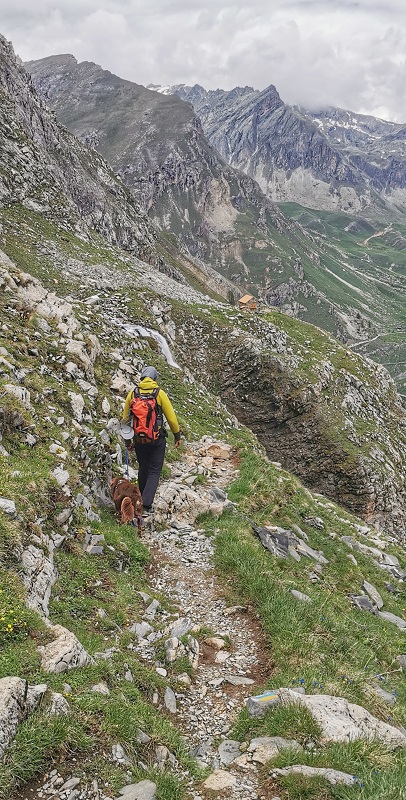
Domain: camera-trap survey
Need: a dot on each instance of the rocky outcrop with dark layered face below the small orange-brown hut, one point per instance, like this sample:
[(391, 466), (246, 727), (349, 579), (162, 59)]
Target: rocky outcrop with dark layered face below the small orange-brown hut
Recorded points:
[(332, 418)]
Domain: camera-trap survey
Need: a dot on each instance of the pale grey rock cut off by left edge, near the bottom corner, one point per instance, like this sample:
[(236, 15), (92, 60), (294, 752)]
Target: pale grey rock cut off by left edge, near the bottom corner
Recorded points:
[(17, 701)]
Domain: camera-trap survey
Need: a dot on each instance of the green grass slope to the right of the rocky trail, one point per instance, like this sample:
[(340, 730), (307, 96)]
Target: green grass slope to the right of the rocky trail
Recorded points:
[(328, 647)]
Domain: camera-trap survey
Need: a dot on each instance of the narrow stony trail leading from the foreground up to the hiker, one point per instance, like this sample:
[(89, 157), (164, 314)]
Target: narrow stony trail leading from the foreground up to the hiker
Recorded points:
[(222, 643)]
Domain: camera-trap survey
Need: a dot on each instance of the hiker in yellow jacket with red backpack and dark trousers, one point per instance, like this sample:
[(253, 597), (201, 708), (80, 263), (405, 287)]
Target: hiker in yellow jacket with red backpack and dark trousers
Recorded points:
[(144, 409)]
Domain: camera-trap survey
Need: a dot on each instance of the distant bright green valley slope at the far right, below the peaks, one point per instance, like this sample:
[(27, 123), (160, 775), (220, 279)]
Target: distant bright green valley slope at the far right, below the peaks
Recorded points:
[(367, 272)]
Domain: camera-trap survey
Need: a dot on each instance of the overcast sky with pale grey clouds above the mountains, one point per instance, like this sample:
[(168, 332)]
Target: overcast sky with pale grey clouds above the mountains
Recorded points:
[(348, 53)]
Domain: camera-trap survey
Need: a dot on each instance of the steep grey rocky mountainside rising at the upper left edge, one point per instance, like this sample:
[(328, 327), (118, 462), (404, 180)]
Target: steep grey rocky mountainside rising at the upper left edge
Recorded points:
[(47, 169)]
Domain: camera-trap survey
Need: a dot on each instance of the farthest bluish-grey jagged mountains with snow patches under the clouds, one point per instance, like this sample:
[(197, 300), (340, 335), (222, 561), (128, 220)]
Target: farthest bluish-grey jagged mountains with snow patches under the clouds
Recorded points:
[(330, 158)]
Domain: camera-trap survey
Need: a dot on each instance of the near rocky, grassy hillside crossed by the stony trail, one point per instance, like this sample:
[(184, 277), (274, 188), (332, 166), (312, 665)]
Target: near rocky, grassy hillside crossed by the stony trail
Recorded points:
[(139, 667)]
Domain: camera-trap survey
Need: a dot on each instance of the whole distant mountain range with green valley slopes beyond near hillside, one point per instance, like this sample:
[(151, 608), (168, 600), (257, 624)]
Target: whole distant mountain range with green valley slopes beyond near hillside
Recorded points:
[(344, 273)]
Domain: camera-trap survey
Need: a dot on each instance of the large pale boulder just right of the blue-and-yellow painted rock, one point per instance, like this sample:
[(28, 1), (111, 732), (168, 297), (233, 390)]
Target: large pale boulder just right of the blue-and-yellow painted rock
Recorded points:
[(341, 721)]
